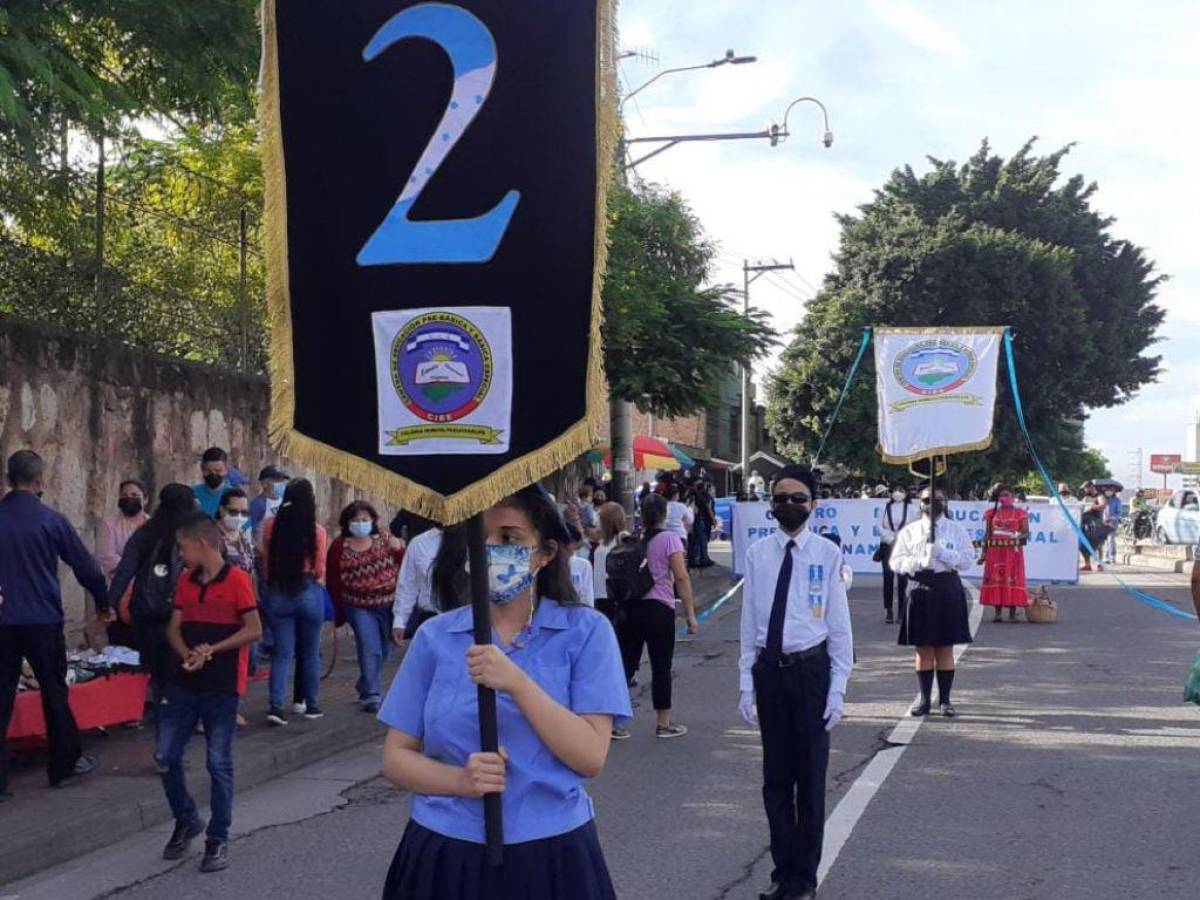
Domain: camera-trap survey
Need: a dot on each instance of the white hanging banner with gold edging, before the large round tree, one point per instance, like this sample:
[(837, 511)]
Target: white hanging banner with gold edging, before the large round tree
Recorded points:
[(937, 391)]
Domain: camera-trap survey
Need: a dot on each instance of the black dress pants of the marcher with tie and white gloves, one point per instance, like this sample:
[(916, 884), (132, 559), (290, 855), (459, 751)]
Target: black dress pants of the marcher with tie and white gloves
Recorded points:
[(795, 758)]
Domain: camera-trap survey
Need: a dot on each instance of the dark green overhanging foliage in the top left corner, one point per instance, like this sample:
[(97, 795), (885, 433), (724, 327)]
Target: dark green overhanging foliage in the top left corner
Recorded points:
[(98, 63)]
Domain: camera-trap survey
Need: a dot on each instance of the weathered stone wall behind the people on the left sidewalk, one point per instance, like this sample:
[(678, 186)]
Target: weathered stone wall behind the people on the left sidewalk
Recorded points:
[(100, 413)]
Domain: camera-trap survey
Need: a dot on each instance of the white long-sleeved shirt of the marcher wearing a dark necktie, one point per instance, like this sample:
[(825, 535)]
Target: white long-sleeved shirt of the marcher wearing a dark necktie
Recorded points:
[(802, 629)]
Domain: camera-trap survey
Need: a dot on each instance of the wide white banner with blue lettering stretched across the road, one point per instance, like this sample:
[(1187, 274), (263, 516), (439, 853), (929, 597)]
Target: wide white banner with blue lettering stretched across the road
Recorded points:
[(1053, 553)]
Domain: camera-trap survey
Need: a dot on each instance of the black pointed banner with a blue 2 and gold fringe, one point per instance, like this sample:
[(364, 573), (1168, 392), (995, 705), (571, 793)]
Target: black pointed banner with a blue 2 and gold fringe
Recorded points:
[(435, 219)]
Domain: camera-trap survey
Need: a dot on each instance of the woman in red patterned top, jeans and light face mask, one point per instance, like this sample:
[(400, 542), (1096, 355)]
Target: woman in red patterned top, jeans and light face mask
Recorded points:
[(362, 572)]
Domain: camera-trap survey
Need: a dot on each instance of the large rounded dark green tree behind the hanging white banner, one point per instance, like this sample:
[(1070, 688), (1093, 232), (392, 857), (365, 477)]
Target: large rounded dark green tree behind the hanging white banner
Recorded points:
[(991, 243)]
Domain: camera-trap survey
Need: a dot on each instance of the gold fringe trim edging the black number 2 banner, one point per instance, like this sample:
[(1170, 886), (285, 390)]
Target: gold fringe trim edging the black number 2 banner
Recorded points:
[(362, 473)]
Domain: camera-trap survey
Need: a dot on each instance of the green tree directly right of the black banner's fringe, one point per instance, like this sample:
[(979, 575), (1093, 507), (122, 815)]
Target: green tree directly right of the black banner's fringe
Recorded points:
[(669, 338)]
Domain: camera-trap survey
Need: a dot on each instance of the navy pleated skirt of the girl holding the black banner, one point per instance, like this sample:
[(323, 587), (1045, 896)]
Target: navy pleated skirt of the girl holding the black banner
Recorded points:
[(431, 867)]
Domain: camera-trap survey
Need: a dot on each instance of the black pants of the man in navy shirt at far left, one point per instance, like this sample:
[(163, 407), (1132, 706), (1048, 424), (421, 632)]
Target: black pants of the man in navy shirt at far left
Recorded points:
[(46, 650)]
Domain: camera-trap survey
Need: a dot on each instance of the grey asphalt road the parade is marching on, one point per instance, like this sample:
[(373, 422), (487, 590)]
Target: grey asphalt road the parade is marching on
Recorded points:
[(1072, 772)]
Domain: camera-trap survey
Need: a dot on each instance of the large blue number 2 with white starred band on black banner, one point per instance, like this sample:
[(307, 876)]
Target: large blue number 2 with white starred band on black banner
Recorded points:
[(472, 51)]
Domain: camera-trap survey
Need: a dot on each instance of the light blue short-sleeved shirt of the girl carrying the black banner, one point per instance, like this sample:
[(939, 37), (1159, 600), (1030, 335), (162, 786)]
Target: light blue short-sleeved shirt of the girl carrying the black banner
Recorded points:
[(572, 653)]
